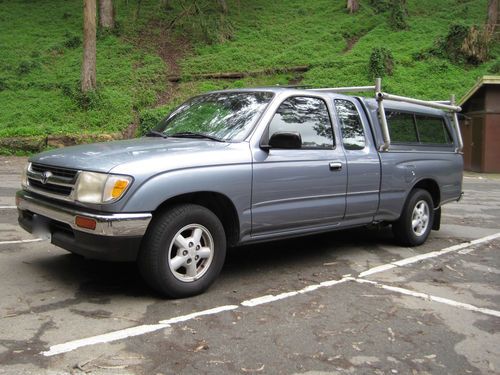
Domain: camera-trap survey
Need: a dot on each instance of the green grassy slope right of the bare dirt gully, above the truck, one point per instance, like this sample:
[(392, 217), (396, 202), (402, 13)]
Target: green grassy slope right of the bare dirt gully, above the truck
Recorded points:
[(270, 34)]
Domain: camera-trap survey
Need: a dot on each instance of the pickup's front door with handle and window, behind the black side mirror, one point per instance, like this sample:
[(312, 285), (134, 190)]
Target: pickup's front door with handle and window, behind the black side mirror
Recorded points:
[(303, 187)]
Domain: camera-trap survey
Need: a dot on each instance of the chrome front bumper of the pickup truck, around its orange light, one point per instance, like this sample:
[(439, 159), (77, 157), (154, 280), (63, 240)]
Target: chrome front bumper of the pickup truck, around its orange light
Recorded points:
[(130, 224)]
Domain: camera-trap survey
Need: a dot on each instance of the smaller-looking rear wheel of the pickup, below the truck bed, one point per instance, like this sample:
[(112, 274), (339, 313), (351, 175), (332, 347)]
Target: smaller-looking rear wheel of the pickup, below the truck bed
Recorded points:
[(415, 223)]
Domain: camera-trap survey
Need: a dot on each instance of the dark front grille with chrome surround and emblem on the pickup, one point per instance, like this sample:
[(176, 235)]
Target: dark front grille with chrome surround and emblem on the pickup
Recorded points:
[(52, 181)]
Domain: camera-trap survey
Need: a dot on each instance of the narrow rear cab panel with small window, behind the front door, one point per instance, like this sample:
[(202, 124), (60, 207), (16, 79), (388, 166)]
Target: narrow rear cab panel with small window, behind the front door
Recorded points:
[(363, 163)]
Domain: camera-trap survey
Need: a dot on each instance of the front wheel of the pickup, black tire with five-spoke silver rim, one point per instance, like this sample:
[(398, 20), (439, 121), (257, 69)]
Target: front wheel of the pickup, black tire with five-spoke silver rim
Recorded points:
[(183, 251)]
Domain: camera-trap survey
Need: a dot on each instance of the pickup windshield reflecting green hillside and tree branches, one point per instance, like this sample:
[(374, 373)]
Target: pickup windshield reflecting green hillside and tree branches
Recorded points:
[(226, 116)]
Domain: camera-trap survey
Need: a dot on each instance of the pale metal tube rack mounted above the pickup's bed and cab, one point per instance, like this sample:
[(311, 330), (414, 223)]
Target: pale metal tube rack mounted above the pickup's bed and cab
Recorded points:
[(380, 96)]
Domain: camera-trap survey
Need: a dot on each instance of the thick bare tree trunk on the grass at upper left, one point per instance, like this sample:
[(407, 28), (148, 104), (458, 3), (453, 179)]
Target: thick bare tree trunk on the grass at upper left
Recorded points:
[(89, 46)]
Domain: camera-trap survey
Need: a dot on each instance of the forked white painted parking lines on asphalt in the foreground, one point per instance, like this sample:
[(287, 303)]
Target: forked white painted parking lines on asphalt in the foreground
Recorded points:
[(143, 329)]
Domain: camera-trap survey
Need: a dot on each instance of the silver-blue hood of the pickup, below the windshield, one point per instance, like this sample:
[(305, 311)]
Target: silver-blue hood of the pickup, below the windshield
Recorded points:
[(102, 157)]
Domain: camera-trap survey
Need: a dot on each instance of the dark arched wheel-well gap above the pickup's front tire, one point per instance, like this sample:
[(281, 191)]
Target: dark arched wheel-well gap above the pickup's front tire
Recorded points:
[(218, 203)]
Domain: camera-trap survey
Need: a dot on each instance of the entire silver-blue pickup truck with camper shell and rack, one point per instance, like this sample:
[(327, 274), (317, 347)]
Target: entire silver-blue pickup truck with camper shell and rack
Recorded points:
[(241, 166)]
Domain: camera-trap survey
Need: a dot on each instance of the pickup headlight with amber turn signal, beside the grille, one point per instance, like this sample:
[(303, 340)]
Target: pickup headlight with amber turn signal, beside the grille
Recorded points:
[(93, 187)]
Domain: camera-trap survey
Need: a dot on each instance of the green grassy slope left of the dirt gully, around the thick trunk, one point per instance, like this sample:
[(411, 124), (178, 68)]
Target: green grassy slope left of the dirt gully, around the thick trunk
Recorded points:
[(40, 72)]
